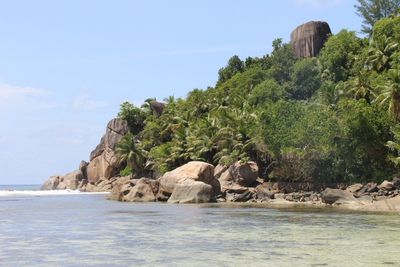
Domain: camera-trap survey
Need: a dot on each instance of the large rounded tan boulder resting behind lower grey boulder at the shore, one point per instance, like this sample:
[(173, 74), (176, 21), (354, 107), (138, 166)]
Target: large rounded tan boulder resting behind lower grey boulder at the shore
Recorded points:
[(194, 170)]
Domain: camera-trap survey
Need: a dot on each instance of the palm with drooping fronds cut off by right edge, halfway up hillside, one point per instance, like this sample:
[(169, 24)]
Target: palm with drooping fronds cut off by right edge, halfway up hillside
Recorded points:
[(391, 93)]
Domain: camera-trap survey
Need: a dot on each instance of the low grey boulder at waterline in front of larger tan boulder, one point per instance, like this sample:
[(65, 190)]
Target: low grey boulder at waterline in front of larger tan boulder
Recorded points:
[(192, 192)]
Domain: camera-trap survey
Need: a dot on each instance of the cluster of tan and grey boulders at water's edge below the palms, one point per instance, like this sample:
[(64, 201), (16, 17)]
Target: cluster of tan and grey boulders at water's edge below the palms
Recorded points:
[(194, 182)]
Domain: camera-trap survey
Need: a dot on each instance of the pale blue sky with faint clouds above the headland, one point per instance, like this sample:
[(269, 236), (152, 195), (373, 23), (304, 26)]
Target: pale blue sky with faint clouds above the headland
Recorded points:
[(65, 66)]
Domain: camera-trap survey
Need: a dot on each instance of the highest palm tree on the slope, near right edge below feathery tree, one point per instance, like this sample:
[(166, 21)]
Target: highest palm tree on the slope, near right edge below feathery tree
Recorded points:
[(379, 54)]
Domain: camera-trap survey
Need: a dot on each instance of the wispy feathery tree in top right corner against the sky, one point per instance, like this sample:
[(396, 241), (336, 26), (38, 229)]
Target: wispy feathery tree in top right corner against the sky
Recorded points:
[(373, 10)]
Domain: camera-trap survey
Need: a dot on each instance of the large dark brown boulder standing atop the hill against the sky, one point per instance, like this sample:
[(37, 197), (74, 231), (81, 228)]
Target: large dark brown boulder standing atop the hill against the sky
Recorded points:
[(308, 39)]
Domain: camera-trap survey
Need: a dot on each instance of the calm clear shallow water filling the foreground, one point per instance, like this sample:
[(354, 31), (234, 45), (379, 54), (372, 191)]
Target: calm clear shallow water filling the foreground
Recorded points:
[(87, 230)]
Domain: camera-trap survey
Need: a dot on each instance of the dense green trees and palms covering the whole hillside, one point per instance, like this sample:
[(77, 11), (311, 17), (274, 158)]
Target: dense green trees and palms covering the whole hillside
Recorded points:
[(333, 118)]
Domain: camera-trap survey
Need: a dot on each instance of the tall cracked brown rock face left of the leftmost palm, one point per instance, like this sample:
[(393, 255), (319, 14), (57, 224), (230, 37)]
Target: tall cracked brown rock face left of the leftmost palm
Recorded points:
[(103, 161)]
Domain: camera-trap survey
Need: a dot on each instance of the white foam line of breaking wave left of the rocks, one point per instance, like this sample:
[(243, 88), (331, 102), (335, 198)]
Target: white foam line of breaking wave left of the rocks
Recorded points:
[(14, 193)]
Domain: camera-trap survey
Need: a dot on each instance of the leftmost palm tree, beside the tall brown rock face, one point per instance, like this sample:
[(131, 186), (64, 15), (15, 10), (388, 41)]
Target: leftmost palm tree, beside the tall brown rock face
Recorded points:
[(128, 151)]
